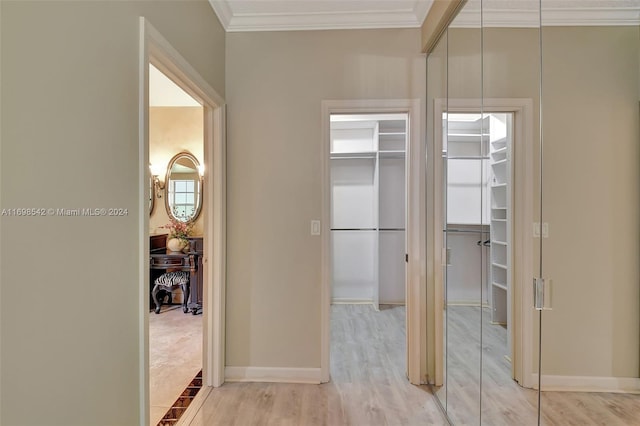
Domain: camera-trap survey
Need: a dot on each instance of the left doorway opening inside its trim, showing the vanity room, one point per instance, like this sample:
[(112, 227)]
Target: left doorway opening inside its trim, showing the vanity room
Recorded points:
[(176, 149)]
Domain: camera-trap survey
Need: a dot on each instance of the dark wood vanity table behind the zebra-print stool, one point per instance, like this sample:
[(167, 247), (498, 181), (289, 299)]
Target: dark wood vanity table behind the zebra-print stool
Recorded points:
[(161, 260)]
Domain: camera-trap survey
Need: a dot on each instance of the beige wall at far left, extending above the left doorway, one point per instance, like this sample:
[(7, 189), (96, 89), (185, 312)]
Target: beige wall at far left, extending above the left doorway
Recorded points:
[(69, 312)]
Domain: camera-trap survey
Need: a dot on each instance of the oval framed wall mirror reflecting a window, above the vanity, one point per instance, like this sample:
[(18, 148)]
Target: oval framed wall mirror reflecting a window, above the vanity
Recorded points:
[(183, 188)]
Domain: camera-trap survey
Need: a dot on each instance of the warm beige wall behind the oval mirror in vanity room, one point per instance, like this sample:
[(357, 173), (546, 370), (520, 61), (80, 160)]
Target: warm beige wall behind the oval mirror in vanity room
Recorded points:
[(173, 130)]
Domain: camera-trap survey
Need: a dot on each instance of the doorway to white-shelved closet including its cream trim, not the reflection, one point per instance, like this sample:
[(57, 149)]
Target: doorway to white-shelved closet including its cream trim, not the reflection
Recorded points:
[(372, 247)]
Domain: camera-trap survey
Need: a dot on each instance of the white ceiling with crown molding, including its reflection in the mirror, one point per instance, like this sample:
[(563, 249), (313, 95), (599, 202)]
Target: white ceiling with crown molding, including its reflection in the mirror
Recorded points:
[(281, 15)]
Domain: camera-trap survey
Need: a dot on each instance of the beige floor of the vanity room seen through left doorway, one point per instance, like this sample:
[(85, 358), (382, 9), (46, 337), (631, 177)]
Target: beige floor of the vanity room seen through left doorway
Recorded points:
[(175, 357)]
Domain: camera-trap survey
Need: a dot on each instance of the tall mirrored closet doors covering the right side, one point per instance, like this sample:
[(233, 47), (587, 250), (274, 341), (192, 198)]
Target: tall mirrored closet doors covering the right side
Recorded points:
[(535, 130)]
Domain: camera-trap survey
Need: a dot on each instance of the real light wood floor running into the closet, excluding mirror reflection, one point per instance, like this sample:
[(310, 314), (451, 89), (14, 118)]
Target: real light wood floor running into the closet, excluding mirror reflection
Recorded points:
[(368, 385)]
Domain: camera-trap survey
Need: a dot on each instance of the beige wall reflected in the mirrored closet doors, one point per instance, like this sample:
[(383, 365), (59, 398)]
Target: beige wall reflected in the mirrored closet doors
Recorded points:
[(591, 179)]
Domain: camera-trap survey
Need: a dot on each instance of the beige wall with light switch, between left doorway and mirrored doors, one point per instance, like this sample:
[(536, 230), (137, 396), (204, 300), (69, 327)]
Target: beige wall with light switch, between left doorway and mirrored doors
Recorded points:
[(275, 84)]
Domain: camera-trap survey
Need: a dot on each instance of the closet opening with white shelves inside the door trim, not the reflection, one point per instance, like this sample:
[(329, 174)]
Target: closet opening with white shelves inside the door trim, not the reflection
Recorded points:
[(368, 243)]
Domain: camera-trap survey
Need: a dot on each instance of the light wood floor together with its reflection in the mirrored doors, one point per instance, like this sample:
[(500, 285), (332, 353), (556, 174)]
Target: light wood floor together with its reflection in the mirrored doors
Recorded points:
[(369, 387)]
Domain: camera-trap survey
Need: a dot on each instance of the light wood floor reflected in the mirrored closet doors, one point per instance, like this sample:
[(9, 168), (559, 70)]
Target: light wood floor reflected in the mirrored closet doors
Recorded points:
[(503, 401)]
